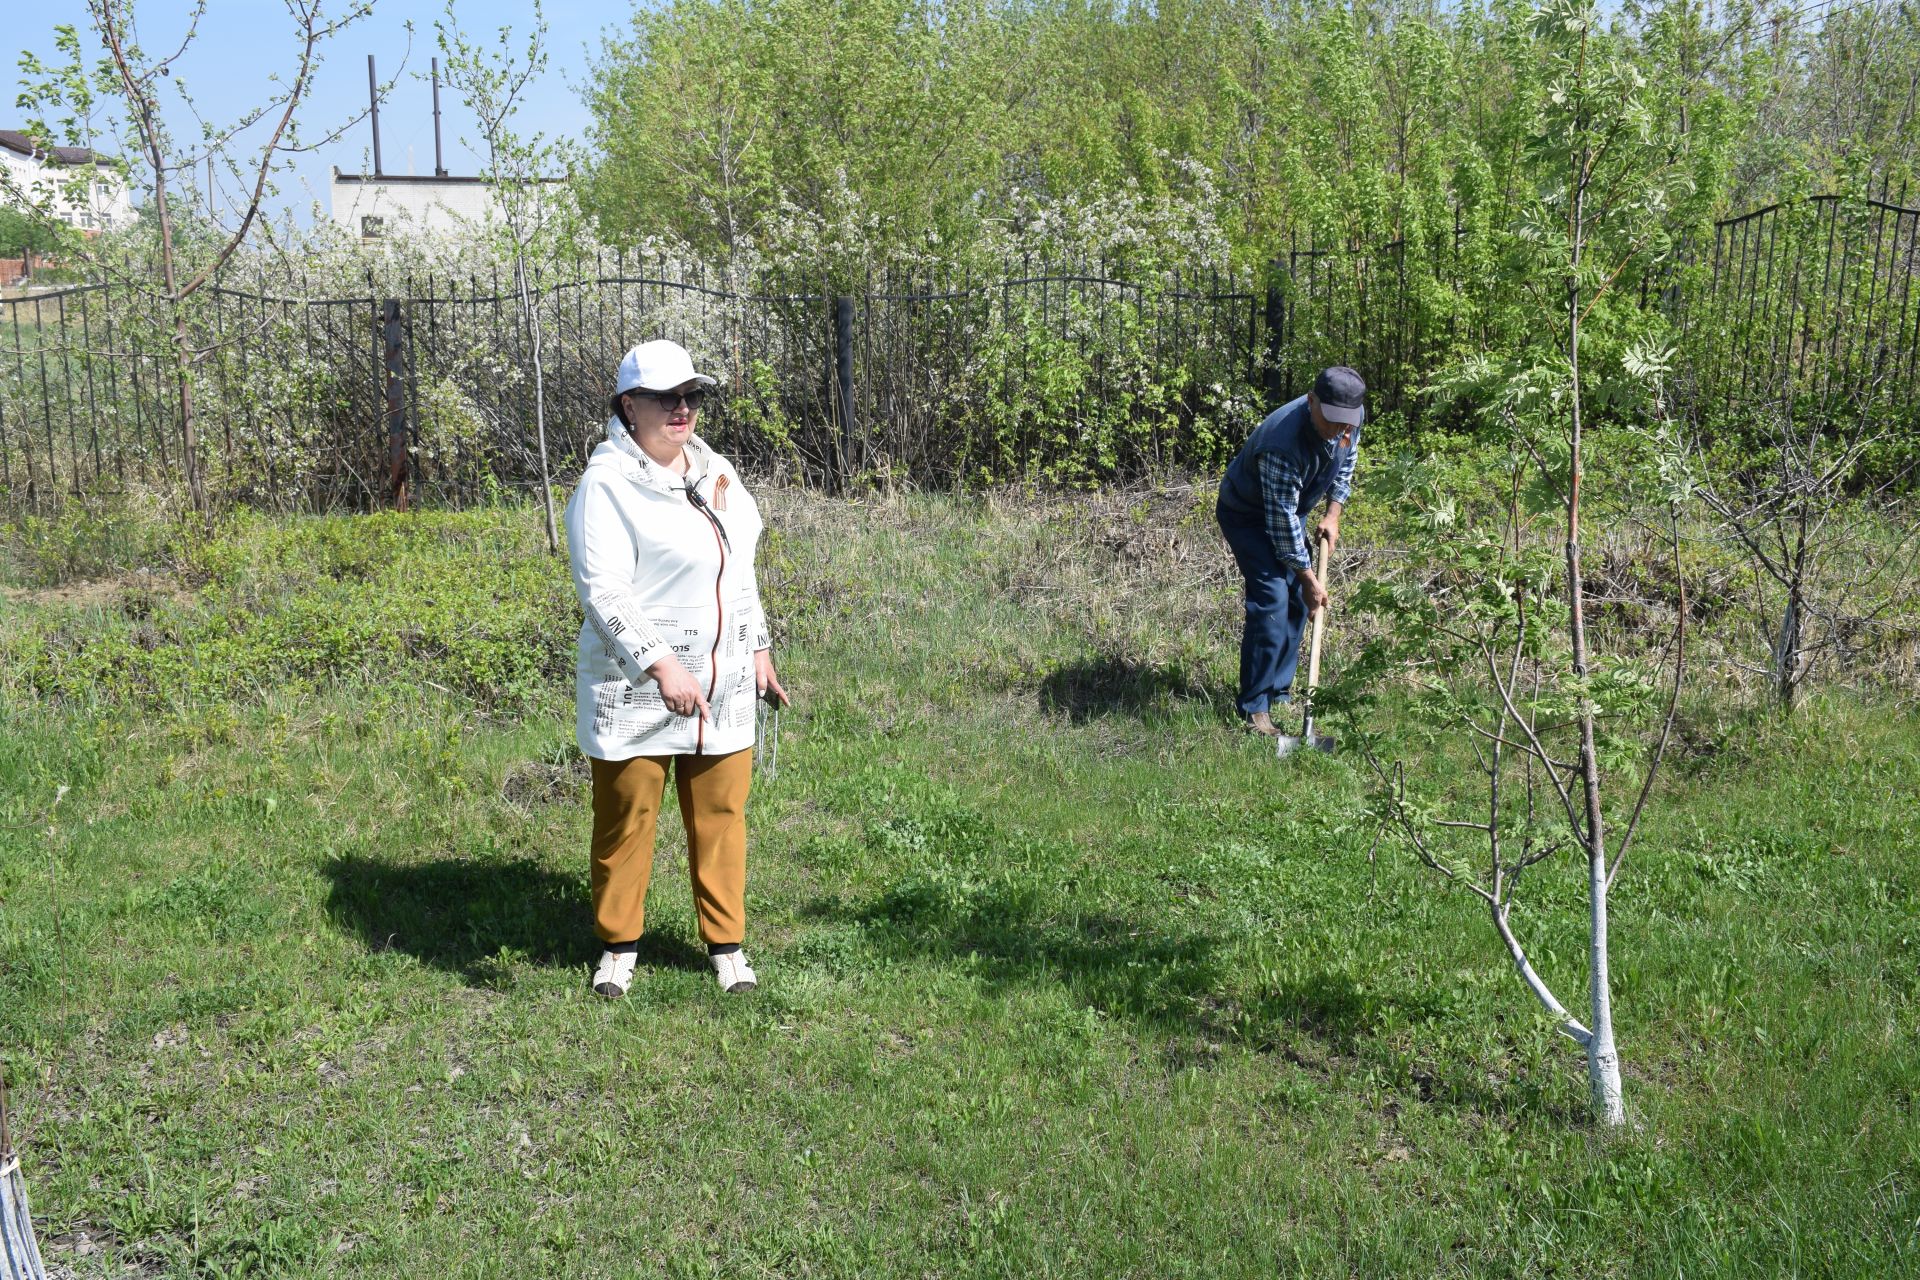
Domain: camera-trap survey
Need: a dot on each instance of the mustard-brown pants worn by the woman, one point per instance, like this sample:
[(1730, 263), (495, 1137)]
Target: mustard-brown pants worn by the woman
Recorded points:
[(713, 807)]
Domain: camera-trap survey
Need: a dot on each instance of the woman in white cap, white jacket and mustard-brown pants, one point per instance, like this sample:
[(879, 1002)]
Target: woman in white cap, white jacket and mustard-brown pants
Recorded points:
[(673, 655)]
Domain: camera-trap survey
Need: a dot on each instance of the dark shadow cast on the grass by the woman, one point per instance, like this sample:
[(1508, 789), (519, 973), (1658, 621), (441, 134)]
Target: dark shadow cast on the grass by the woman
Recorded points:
[(464, 916)]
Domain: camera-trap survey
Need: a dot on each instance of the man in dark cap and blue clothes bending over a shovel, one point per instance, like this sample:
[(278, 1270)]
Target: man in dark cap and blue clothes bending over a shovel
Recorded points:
[(1299, 456)]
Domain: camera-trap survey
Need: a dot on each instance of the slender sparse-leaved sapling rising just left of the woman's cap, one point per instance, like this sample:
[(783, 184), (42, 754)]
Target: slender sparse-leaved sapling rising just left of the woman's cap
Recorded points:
[(537, 214)]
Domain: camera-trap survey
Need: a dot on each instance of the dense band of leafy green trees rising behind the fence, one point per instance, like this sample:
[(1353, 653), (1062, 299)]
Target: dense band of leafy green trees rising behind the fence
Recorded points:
[(1332, 126)]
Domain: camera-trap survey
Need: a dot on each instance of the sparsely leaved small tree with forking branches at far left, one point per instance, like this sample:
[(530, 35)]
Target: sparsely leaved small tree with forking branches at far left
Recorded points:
[(120, 97)]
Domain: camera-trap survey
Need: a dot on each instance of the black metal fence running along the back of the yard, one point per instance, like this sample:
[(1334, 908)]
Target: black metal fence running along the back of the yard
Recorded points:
[(1063, 373)]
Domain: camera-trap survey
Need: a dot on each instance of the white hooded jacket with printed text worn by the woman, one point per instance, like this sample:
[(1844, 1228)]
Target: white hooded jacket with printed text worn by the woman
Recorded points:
[(660, 575)]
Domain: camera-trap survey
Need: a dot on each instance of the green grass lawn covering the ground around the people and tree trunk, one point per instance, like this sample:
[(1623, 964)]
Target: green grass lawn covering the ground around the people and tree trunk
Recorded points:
[(1061, 976)]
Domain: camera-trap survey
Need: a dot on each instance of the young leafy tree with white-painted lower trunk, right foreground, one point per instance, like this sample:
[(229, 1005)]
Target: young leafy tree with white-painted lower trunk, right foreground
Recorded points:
[(1533, 732)]
